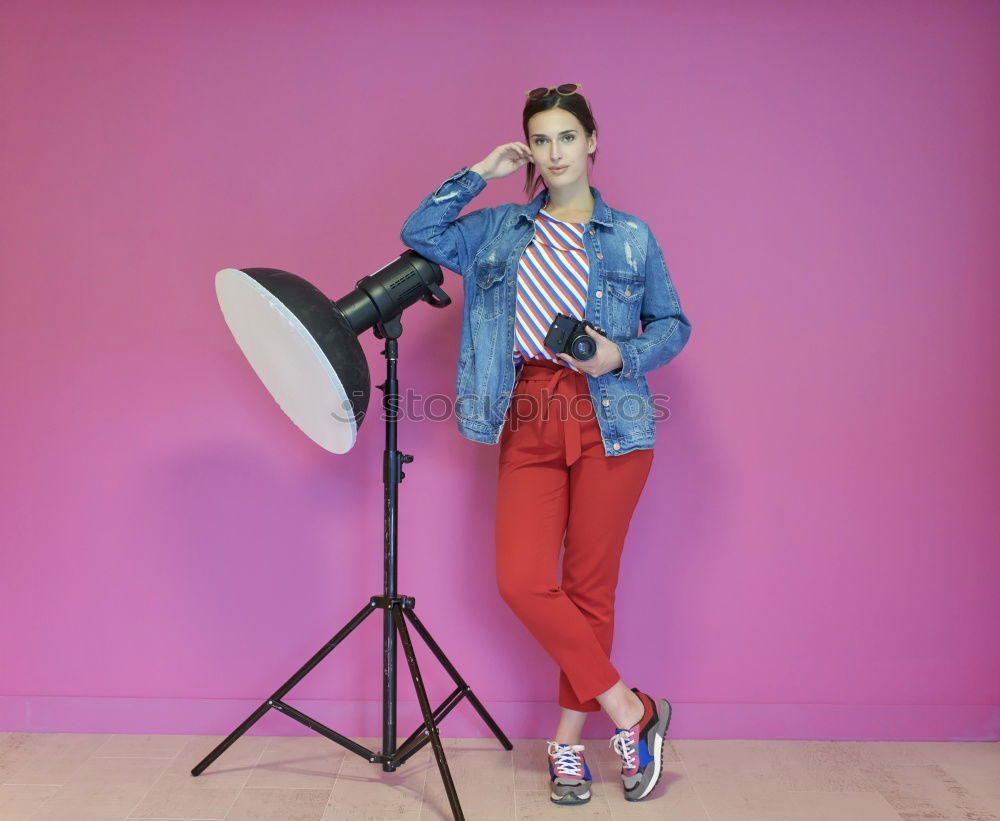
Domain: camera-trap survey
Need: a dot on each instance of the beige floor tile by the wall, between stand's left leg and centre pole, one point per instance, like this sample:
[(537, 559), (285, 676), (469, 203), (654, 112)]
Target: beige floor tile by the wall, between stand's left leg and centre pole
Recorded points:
[(299, 762)]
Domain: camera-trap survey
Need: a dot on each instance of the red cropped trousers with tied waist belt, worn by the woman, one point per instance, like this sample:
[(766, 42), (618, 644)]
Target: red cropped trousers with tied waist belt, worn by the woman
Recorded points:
[(556, 481)]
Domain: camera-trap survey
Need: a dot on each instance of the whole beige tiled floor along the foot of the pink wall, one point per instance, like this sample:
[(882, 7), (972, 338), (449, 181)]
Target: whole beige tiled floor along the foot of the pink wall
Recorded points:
[(68, 777)]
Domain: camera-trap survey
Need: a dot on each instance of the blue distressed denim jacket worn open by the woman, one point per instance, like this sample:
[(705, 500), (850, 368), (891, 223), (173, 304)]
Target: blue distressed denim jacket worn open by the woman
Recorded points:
[(629, 283)]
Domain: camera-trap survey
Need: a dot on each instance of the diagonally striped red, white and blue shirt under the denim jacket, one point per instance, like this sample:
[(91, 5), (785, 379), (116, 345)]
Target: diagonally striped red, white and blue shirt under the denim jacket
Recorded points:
[(552, 278)]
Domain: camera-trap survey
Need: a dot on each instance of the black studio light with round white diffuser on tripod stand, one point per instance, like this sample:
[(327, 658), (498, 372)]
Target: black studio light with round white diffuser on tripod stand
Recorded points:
[(305, 349)]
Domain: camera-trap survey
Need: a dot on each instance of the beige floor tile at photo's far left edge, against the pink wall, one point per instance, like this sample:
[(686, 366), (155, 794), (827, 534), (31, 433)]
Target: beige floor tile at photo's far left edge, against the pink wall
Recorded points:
[(45, 758)]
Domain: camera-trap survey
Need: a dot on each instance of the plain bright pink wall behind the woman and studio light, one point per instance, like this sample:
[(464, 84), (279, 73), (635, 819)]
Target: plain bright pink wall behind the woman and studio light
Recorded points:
[(815, 555)]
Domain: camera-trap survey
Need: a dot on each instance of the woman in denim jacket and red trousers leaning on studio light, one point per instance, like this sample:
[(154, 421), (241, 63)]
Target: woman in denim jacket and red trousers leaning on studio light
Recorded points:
[(565, 471)]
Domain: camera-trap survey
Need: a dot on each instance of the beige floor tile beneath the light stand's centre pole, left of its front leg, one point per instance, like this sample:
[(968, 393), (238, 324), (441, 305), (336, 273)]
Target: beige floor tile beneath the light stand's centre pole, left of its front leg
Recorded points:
[(364, 792)]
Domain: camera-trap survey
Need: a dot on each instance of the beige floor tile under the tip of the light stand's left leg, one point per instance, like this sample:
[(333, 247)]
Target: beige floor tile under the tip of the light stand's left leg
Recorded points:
[(178, 794)]
